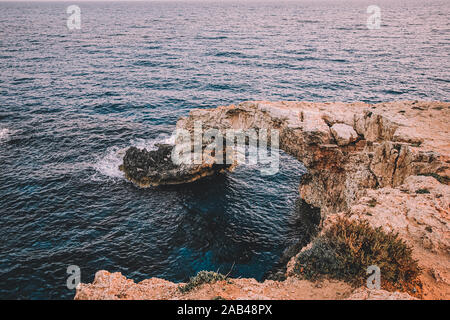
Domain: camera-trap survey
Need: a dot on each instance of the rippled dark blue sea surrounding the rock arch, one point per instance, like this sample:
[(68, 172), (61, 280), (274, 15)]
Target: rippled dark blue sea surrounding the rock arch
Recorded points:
[(72, 101)]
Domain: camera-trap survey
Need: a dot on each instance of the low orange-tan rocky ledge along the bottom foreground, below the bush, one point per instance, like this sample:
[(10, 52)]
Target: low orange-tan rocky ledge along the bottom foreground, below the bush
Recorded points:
[(114, 286)]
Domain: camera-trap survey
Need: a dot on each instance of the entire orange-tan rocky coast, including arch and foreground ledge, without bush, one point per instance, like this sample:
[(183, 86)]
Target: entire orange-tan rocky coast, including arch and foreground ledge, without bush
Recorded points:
[(386, 163)]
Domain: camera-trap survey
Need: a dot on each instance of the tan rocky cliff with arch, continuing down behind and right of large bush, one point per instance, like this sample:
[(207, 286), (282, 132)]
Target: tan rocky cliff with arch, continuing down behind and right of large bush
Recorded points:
[(387, 163)]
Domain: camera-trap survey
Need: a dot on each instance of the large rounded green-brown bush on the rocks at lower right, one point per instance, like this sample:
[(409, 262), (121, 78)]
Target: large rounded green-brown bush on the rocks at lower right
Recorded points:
[(347, 248)]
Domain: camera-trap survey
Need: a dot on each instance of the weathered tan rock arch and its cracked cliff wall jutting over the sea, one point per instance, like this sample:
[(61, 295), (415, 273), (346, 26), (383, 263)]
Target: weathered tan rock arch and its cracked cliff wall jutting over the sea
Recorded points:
[(347, 148)]
